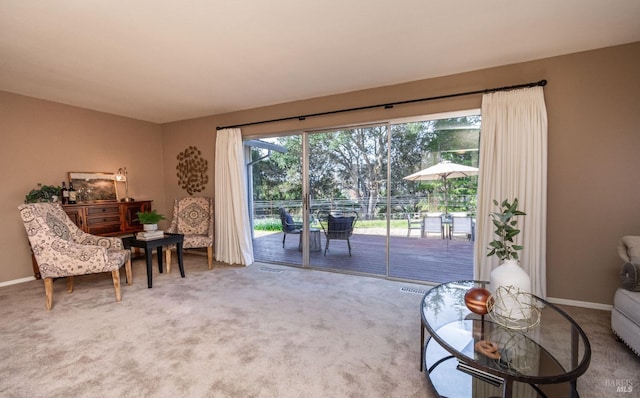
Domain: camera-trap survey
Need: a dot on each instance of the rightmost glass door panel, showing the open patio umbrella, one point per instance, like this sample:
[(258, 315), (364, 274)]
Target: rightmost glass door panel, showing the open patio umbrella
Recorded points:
[(427, 241)]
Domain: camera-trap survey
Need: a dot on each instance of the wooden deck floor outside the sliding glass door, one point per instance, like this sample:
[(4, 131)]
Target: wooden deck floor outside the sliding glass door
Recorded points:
[(420, 259)]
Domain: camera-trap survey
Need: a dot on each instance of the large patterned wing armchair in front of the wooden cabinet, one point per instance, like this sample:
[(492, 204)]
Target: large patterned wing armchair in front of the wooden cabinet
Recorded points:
[(61, 249)]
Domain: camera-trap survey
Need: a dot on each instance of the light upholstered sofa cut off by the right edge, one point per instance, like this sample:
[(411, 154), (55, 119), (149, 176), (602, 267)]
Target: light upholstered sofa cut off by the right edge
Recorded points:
[(625, 315)]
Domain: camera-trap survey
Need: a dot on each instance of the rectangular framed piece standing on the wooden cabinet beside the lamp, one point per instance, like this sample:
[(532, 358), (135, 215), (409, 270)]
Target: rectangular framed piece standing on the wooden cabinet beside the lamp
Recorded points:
[(94, 187)]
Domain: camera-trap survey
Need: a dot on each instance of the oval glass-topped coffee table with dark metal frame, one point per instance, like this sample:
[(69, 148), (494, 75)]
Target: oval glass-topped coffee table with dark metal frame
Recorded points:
[(543, 361)]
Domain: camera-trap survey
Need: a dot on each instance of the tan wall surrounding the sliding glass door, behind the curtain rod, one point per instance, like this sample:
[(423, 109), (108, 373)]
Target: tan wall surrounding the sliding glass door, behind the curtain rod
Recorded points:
[(593, 103)]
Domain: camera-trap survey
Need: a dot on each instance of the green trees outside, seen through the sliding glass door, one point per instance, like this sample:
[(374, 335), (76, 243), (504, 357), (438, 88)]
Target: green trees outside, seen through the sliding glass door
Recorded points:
[(352, 164)]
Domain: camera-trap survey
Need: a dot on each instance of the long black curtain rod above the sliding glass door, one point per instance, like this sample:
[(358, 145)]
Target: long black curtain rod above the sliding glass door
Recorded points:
[(390, 105)]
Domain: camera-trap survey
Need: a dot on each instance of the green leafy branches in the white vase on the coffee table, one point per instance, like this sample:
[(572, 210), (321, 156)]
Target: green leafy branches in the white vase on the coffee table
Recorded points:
[(506, 230)]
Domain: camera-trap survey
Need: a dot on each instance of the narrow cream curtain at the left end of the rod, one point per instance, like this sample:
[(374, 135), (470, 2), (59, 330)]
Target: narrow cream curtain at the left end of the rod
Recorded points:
[(233, 229)]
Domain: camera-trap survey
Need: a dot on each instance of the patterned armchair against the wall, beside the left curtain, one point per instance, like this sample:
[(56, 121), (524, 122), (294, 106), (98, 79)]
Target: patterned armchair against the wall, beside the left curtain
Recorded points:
[(193, 217)]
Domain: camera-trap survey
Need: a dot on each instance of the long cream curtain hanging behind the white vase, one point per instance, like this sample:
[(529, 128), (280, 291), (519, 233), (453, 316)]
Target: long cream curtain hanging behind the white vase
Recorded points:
[(513, 164)]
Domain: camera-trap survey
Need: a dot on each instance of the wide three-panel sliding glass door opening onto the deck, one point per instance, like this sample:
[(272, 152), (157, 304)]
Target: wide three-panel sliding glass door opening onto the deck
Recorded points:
[(348, 206)]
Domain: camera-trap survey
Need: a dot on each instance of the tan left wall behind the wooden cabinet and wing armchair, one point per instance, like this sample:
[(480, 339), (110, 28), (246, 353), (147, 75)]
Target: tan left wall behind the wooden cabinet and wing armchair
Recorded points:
[(42, 141)]
